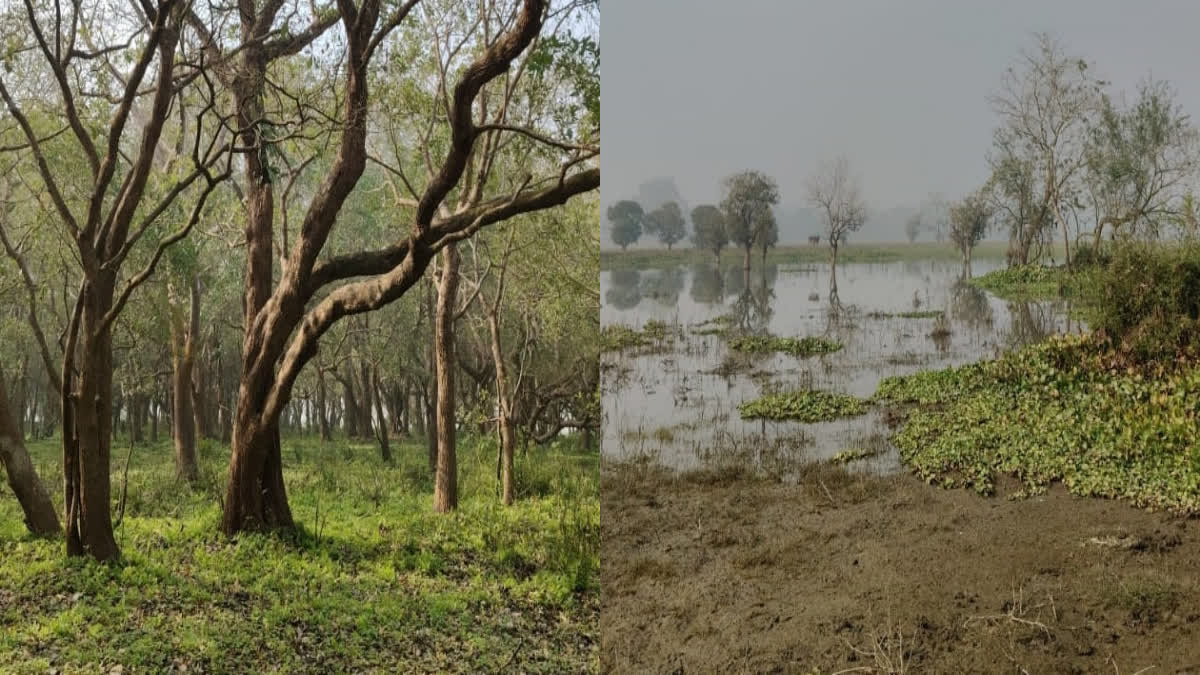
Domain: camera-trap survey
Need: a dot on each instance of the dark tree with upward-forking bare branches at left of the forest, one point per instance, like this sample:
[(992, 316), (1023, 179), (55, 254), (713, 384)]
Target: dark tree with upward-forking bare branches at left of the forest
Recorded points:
[(105, 220)]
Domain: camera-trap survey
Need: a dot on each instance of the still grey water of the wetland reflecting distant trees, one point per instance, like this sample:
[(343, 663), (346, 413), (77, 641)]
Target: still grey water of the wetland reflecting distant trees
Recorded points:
[(679, 407)]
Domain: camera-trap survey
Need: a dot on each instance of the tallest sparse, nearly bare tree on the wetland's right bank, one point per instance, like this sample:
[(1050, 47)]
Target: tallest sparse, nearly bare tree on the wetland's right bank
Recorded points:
[(1045, 106)]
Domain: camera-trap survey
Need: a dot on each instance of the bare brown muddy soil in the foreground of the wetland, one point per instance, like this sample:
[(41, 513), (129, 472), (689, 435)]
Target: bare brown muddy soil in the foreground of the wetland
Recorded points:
[(711, 574)]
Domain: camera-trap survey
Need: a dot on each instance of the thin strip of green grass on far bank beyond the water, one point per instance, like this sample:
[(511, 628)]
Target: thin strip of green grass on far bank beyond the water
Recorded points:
[(802, 254)]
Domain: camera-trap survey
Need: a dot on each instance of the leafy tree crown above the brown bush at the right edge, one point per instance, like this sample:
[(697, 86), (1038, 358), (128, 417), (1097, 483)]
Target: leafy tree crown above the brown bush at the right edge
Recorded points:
[(1137, 160)]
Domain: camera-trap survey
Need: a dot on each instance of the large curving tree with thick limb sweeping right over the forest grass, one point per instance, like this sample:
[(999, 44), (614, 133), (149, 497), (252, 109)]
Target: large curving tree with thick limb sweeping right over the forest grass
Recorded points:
[(287, 315)]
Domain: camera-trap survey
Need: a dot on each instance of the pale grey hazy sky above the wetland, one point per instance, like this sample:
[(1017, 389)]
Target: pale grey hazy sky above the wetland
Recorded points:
[(698, 89)]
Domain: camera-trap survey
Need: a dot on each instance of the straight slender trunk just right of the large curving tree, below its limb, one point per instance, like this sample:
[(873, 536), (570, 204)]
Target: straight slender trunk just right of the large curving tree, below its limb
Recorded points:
[(446, 488)]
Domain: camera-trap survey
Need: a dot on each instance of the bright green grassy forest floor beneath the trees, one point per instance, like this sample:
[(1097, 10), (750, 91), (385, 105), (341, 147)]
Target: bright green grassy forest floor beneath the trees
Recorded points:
[(374, 583)]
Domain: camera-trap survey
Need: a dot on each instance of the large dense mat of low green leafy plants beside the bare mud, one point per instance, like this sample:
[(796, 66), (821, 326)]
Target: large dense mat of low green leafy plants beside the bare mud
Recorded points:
[(1059, 411)]
